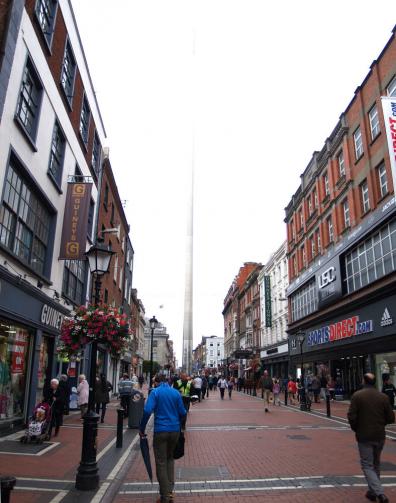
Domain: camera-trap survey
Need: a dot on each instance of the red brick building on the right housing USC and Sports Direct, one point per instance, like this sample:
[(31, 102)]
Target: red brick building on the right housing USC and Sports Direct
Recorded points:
[(341, 242)]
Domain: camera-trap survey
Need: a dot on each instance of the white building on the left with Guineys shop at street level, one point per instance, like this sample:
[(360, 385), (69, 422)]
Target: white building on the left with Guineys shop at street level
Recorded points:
[(51, 132)]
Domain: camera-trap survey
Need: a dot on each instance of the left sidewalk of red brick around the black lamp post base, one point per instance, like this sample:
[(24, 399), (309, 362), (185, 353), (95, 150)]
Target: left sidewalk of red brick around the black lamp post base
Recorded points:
[(46, 473)]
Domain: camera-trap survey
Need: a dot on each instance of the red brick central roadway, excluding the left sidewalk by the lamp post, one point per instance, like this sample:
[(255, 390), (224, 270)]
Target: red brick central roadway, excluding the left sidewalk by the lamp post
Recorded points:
[(235, 452)]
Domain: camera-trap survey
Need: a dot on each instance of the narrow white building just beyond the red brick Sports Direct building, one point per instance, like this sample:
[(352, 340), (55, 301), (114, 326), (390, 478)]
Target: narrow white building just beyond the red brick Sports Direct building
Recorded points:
[(273, 281)]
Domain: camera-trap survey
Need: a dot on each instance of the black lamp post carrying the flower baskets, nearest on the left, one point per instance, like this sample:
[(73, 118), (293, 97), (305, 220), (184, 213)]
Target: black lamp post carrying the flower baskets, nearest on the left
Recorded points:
[(87, 479)]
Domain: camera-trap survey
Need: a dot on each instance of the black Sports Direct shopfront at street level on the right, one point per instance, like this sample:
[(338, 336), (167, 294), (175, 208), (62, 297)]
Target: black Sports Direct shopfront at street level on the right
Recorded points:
[(351, 343)]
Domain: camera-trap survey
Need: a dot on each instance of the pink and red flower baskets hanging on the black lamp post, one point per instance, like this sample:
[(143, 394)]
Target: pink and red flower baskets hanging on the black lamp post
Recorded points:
[(103, 324)]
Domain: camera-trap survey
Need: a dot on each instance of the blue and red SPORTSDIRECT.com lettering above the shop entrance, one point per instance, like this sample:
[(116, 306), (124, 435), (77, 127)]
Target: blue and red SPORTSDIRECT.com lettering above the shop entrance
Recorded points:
[(340, 330)]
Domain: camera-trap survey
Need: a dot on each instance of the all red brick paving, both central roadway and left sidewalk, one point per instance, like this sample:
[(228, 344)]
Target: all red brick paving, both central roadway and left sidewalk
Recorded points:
[(234, 452)]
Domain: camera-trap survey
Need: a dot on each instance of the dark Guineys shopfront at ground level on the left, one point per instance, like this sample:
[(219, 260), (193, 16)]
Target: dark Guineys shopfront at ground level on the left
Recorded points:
[(30, 323)]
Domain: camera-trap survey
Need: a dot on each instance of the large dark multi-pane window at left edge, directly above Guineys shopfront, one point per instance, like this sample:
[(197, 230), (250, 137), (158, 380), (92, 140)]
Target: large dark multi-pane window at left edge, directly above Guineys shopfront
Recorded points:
[(25, 222)]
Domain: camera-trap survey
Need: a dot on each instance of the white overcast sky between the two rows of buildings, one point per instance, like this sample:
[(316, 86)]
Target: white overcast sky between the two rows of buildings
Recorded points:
[(262, 90)]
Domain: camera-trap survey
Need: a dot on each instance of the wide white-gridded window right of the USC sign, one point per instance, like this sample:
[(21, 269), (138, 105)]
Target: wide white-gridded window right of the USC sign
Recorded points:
[(372, 259)]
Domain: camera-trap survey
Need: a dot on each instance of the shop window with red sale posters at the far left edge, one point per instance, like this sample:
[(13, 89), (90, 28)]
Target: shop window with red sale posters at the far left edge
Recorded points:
[(14, 348)]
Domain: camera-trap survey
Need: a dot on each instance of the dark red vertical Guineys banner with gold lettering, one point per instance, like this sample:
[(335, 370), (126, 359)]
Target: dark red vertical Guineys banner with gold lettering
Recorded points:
[(75, 221)]
